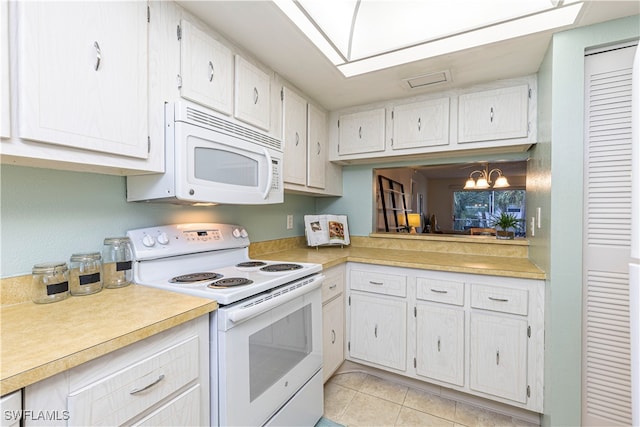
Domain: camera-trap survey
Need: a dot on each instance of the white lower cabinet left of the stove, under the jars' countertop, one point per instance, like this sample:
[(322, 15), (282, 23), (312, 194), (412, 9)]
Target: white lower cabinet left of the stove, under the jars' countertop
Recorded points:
[(162, 380)]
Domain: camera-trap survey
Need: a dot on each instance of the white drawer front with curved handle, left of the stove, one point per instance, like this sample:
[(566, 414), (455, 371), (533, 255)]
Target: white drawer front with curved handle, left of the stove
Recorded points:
[(116, 398)]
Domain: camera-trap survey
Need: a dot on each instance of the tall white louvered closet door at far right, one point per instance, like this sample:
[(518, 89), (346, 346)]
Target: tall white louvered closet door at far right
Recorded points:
[(606, 375)]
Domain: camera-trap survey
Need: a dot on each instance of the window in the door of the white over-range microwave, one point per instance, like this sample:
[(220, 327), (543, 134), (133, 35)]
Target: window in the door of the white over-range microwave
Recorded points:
[(225, 167)]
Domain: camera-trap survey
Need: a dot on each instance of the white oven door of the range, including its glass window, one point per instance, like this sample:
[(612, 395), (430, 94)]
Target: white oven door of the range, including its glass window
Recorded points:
[(266, 358)]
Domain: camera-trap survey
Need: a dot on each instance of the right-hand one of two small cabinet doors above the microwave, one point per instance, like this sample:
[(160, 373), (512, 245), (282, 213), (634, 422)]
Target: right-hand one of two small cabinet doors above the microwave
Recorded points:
[(253, 94)]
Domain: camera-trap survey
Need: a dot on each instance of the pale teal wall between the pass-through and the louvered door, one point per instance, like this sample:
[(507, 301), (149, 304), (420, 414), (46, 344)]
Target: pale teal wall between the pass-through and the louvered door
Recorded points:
[(557, 187)]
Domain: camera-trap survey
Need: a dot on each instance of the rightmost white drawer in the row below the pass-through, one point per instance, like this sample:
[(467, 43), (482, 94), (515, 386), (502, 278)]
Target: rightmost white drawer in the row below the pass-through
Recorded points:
[(505, 300)]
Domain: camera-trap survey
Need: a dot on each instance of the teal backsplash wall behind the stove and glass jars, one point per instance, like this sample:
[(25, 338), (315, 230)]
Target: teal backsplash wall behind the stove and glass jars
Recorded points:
[(46, 215)]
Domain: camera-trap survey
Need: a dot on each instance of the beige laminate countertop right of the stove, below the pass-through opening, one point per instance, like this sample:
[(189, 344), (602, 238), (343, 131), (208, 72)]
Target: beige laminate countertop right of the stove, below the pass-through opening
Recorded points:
[(461, 263)]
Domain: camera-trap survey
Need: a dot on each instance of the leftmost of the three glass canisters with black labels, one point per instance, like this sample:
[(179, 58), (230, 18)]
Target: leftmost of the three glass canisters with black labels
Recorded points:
[(50, 282)]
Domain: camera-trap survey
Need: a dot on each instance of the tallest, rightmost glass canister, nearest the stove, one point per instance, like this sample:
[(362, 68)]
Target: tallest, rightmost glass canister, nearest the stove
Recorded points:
[(116, 262)]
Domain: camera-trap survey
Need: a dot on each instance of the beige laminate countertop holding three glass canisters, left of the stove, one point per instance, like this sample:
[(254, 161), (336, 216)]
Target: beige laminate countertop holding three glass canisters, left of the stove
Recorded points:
[(41, 340)]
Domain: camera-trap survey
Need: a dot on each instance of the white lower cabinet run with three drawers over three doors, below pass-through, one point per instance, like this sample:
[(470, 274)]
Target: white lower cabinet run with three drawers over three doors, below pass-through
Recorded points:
[(476, 334)]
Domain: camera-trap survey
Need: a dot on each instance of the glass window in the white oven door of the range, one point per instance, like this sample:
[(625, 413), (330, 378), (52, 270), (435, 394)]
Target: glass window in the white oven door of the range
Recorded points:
[(276, 349)]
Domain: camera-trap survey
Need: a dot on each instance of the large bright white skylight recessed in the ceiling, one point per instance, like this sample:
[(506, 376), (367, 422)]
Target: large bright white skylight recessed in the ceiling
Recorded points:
[(359, 36)]
